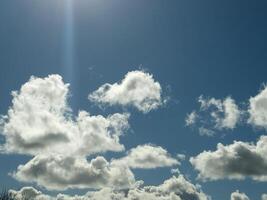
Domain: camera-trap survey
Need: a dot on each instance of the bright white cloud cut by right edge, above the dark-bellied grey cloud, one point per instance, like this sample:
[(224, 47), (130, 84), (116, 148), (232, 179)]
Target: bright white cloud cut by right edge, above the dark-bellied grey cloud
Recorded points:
[(258, 109)]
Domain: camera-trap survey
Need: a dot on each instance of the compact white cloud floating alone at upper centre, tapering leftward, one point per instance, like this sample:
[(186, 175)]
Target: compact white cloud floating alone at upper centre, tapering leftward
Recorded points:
[(137, 89)]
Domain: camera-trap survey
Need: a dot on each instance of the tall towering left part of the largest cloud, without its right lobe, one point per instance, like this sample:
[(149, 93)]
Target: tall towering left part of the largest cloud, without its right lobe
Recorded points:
[(35, 119)]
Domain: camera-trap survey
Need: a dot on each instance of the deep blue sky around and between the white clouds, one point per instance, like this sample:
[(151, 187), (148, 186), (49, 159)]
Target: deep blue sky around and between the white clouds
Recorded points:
[(215, 48)]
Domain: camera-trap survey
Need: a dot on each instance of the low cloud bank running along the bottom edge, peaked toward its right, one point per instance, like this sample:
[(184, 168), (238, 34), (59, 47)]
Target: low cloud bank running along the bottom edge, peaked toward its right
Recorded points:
[(175, 188)]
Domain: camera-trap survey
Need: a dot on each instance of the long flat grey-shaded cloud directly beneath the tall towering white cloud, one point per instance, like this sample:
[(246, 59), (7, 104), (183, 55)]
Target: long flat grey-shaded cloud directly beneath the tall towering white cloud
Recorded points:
[(57, 172)]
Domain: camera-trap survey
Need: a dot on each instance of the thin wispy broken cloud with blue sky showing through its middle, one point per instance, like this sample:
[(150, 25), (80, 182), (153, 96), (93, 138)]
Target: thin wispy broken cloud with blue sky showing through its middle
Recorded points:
[(214, 114)]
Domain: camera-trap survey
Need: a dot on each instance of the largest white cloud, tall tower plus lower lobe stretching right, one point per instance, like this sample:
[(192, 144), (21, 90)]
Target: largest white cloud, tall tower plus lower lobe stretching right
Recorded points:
[(40, 120)]
